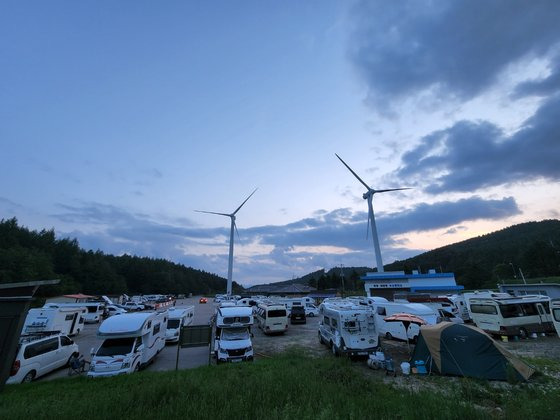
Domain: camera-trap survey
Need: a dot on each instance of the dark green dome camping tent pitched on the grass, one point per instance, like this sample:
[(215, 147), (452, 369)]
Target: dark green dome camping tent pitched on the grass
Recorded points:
[(464, 350)]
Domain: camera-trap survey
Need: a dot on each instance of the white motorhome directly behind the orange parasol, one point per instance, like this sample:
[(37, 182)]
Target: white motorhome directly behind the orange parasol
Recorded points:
[(384, 308)]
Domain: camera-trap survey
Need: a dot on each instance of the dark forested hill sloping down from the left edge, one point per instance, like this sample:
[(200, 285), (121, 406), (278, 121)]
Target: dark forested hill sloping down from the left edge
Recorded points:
[(30, 255)]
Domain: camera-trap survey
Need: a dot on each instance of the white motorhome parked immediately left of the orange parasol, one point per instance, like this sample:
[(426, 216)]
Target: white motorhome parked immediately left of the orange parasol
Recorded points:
[(347, 328)]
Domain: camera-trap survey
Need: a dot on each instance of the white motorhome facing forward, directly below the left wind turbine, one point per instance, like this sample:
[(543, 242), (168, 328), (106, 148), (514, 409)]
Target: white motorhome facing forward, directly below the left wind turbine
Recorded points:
[(232, 342)]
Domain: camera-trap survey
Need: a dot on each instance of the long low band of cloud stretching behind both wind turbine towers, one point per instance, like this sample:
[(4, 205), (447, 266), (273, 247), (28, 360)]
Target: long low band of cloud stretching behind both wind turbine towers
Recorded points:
[(270, 253)]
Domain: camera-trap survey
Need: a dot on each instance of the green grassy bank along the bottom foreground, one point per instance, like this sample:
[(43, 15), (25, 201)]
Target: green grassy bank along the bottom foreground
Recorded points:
[(290, 386)]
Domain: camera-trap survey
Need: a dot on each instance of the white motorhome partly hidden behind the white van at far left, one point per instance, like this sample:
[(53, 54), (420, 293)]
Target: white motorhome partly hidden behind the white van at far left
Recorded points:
[(68, 321)]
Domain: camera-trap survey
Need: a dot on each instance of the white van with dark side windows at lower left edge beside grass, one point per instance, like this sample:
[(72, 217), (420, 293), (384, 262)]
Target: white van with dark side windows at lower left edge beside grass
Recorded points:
[(39, 354)]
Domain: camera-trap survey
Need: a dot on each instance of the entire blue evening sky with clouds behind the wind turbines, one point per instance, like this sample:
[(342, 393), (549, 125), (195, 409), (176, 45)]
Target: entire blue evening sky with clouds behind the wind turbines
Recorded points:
[(119, 119)]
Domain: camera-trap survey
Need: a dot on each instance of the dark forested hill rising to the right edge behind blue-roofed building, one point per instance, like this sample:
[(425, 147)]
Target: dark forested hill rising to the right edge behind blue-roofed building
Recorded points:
[(485, 260)]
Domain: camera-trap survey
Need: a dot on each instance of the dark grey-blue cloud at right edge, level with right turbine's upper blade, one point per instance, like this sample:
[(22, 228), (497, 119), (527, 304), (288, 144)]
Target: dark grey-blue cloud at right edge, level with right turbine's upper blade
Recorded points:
[(473, 155)]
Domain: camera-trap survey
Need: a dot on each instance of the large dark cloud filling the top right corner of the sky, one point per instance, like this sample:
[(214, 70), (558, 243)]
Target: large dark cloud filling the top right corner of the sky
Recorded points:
[(451, 48)]
